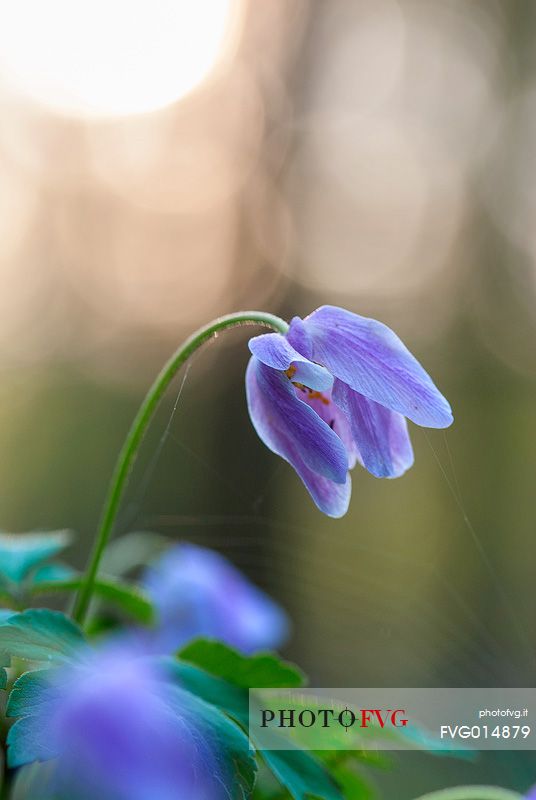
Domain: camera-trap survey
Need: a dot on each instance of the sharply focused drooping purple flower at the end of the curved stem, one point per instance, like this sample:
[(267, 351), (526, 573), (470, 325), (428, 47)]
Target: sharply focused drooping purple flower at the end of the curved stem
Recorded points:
[(336, 389)]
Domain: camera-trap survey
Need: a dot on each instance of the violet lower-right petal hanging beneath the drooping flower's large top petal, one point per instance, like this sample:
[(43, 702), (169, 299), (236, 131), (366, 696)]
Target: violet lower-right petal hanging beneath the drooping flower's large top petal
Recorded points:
[(381, 435)]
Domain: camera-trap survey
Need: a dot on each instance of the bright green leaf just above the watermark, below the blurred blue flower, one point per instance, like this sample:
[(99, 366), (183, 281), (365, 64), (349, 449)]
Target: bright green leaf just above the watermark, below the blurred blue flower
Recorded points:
[(262, 670)]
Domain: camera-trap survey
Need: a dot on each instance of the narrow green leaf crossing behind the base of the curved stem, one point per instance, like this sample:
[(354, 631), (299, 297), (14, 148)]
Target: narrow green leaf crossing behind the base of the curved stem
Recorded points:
[(127, 596)]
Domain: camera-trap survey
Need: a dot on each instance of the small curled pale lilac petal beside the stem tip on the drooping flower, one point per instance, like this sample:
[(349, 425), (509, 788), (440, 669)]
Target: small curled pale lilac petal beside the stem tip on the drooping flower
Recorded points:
[(275, 351)]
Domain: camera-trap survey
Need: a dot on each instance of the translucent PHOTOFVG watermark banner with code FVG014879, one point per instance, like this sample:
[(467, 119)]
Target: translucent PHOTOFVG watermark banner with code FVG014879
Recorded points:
[(393, 719)]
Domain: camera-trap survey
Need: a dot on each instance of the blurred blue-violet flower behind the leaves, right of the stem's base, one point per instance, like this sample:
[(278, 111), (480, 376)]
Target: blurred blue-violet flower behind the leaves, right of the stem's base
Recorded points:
[(197, 592)]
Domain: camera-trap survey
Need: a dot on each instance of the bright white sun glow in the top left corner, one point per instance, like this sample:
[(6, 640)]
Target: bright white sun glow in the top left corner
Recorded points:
[(110, 57)]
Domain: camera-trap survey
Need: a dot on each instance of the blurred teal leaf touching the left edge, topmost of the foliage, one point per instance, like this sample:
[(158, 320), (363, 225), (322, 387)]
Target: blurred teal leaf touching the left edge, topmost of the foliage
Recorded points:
[(19, 552)]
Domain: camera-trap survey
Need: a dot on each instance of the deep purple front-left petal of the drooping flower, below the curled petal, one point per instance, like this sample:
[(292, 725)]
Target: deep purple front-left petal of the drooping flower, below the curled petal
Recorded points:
[(289, 427)]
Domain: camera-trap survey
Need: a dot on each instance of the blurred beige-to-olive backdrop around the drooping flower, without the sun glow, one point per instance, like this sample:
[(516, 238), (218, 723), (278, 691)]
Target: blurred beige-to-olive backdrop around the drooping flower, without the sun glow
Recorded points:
[(378, 155)]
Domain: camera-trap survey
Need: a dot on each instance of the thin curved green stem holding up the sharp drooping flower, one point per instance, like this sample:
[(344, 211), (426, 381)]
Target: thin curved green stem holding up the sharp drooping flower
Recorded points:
[(137, 430)]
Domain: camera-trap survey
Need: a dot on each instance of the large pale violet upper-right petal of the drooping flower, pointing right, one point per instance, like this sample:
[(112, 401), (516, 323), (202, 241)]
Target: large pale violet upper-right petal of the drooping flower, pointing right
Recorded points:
[(371, 359)]
